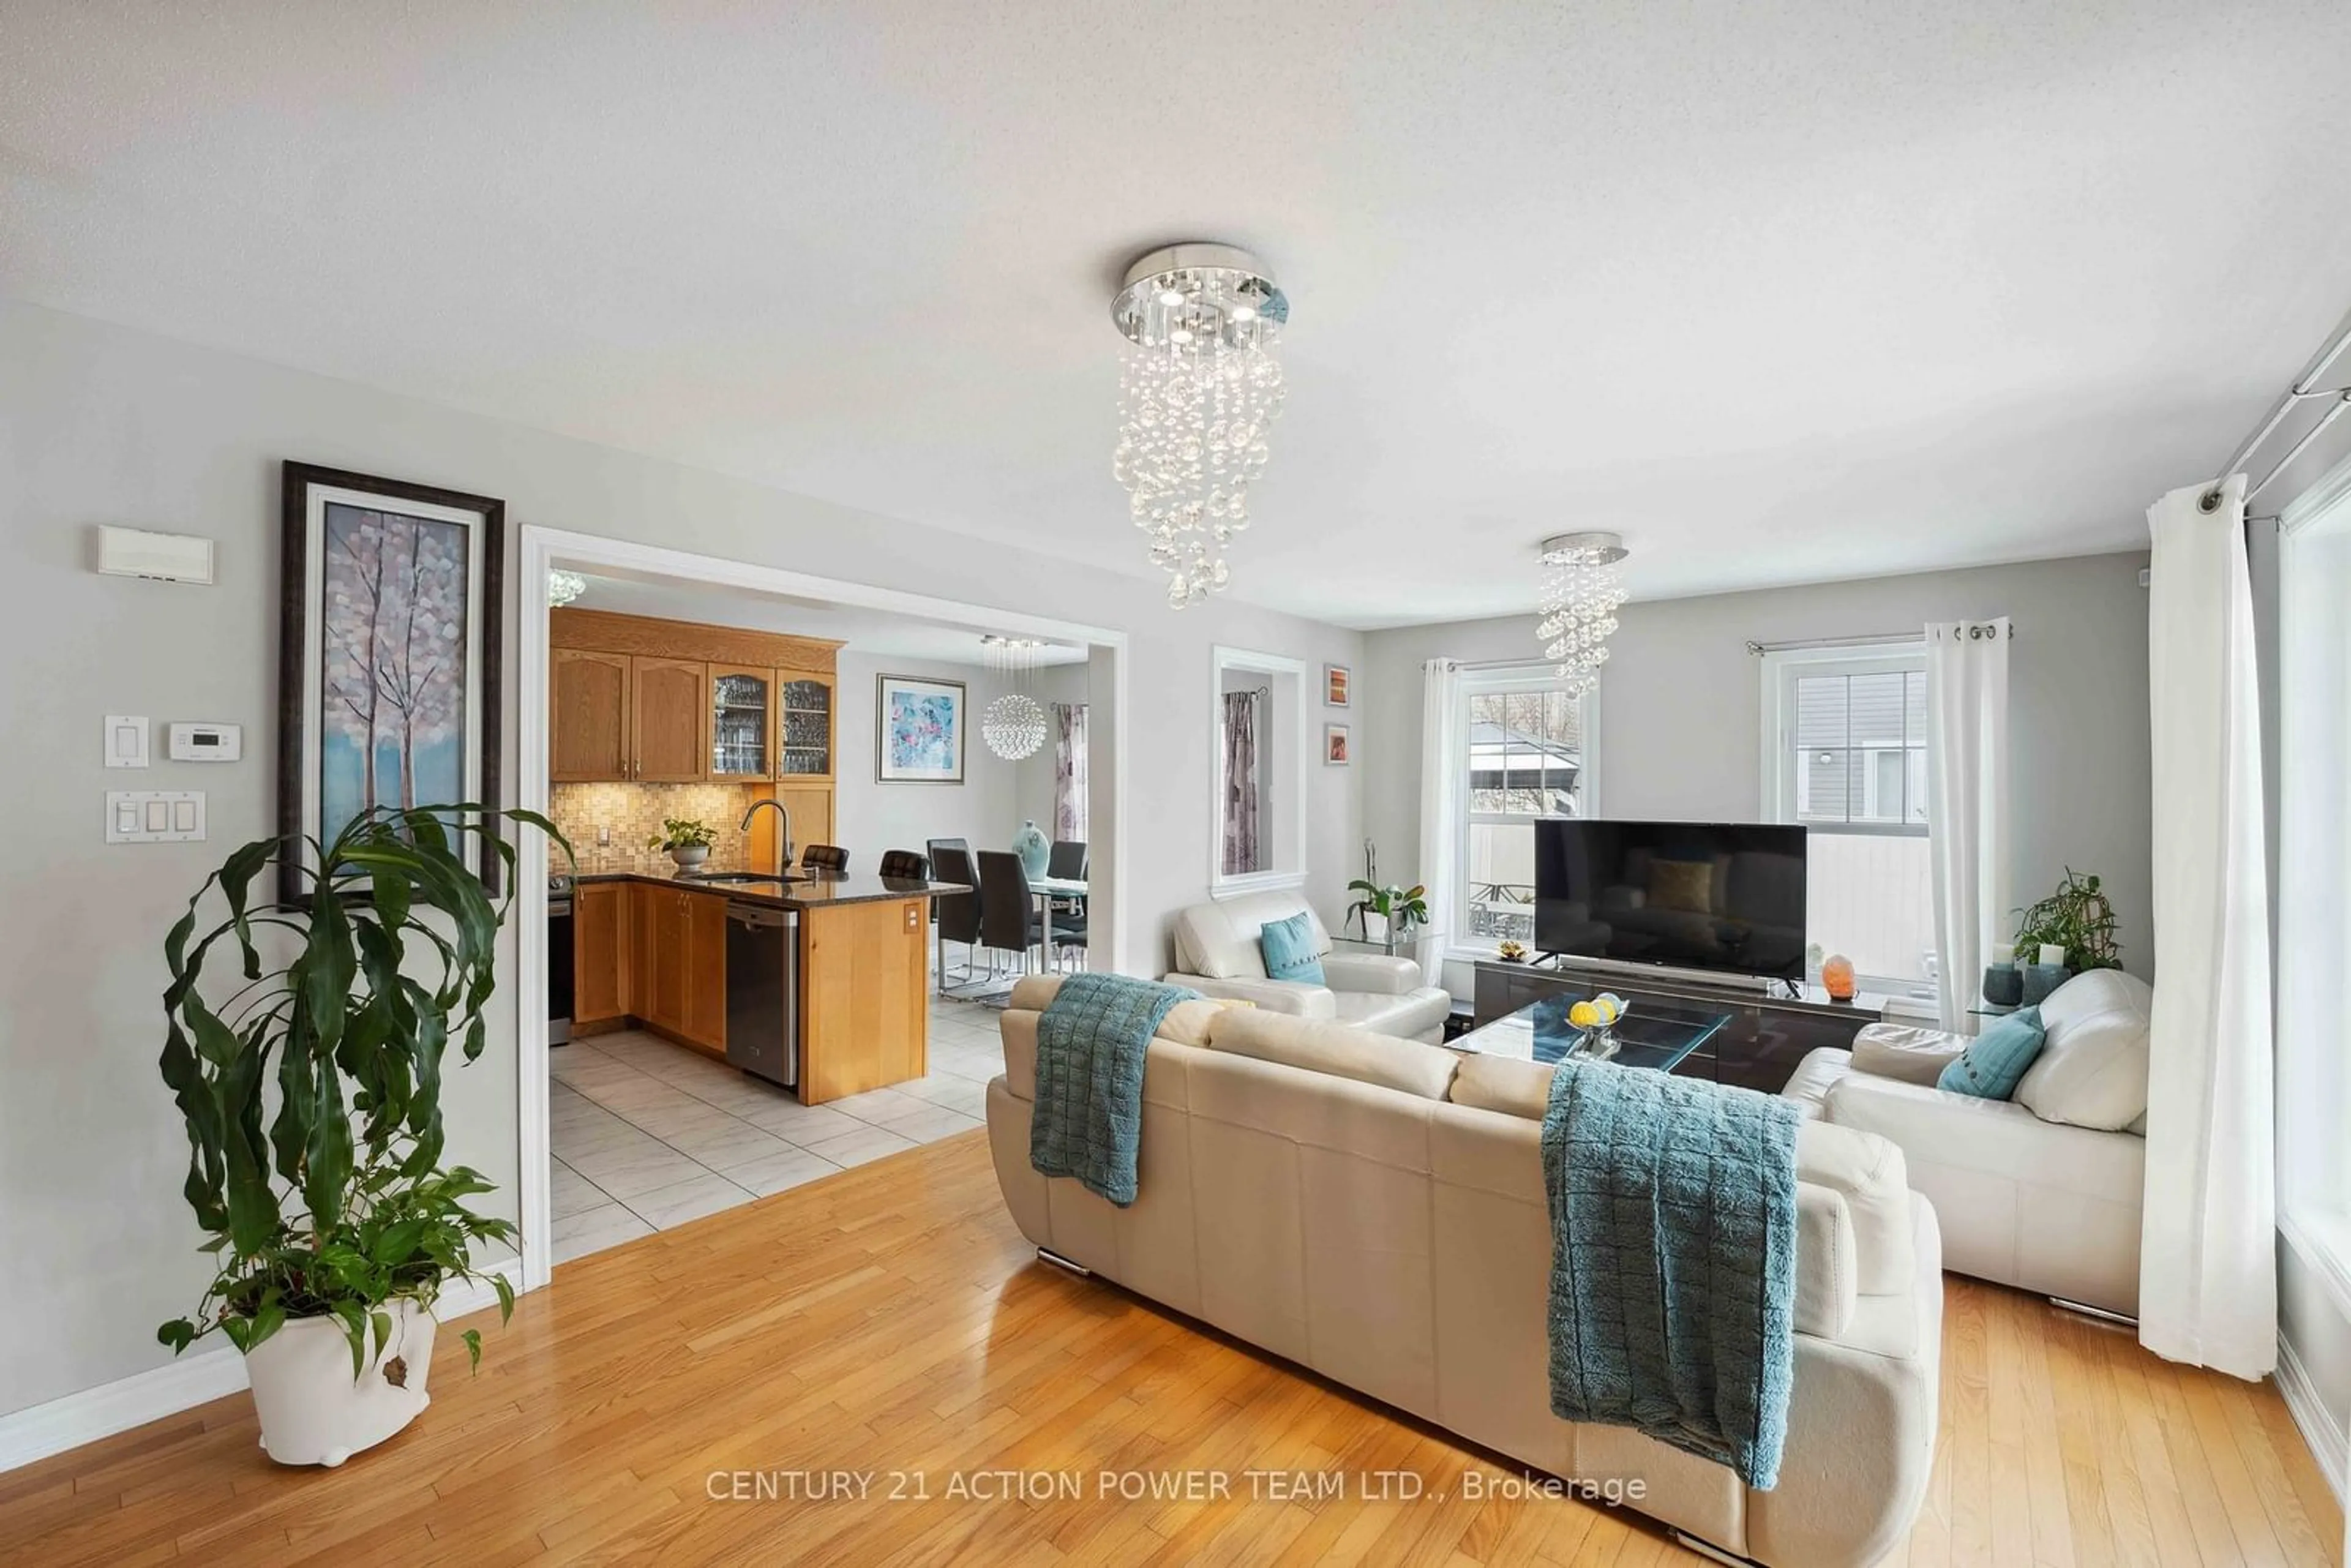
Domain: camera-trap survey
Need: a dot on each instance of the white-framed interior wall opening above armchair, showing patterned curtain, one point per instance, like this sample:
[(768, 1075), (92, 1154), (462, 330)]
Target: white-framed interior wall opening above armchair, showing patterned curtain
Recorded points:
[(1261, 770)]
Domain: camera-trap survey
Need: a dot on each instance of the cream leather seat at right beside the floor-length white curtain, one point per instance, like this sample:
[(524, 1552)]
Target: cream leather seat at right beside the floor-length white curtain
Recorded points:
[(2044, 1191)]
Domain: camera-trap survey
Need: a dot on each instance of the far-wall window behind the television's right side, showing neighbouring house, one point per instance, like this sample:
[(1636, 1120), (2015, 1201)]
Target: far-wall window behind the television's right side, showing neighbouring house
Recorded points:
[(1844, 756)]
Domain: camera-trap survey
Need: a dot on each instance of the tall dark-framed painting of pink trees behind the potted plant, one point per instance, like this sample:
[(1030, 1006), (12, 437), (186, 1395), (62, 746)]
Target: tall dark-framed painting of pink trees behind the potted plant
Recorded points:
[(389, 652)]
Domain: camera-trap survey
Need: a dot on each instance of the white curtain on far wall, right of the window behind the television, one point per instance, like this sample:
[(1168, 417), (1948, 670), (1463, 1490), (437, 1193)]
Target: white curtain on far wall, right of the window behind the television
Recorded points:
[(1967, 805)]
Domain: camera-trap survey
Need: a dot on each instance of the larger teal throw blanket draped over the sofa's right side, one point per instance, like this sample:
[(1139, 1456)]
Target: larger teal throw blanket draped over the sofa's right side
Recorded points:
[(1673, 1261)]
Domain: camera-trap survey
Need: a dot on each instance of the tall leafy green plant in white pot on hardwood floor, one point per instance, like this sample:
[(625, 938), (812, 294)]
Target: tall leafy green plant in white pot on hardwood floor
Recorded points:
[(312, 1097)]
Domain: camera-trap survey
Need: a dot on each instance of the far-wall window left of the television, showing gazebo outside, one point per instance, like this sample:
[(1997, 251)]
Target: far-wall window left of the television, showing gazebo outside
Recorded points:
[(1527, 753)]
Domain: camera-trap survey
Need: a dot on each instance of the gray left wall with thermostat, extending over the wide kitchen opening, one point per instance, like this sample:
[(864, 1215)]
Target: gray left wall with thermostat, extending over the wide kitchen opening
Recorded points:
[(107, 424)]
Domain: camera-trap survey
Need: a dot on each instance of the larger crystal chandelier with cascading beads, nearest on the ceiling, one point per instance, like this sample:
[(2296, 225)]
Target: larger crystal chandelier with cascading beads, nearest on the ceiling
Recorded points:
[(1198, 394)]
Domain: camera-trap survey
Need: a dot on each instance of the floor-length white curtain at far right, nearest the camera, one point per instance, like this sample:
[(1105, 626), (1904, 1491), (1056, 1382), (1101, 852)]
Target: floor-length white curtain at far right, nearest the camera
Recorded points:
[(2209, 1287)]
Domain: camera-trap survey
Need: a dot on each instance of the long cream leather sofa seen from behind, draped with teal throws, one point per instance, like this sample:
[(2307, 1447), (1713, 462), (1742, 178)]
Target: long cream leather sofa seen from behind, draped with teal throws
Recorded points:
[(1374, 1209)]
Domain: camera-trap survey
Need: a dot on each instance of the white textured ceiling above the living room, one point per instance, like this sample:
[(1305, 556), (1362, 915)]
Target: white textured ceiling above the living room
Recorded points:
[(1779, 290)]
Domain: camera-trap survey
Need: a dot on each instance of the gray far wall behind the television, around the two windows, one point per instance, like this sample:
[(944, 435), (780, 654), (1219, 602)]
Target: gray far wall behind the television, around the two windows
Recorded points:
[(1682, 709)]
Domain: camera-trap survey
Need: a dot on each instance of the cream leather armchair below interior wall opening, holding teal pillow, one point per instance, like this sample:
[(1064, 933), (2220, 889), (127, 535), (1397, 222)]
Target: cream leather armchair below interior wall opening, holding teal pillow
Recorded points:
[(1217, 953)]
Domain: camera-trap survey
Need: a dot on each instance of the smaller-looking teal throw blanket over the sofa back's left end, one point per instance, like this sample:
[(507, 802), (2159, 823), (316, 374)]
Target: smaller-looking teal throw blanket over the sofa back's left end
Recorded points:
[(1087, 1118)]
